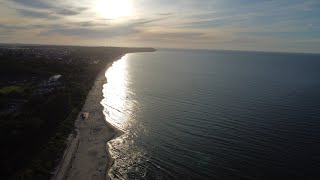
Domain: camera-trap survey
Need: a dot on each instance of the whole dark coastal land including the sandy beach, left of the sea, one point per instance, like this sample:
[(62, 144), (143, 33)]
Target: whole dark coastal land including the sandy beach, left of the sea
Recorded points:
[(43, 90)]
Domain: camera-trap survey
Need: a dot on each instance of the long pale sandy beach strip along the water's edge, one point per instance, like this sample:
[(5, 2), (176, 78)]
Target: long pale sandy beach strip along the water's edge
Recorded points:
[(86, 156)]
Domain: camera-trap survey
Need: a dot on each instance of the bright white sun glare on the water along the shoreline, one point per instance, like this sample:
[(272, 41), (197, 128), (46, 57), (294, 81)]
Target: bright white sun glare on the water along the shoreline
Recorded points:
[(119, 104)]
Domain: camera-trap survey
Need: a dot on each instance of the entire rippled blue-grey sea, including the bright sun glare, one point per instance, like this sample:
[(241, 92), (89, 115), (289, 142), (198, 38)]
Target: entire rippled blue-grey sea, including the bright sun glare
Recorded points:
[(214, 115)]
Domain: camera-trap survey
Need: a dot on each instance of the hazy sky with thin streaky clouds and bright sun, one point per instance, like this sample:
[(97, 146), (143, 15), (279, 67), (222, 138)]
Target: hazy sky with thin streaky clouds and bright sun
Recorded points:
[(256, 25)]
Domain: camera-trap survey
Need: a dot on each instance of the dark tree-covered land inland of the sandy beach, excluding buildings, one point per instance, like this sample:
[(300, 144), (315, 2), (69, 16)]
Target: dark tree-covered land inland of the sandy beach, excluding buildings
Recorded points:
[(34, 137)]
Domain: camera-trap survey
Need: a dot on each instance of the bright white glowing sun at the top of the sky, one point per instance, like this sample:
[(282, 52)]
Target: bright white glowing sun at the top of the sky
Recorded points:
[(113, 9)]
